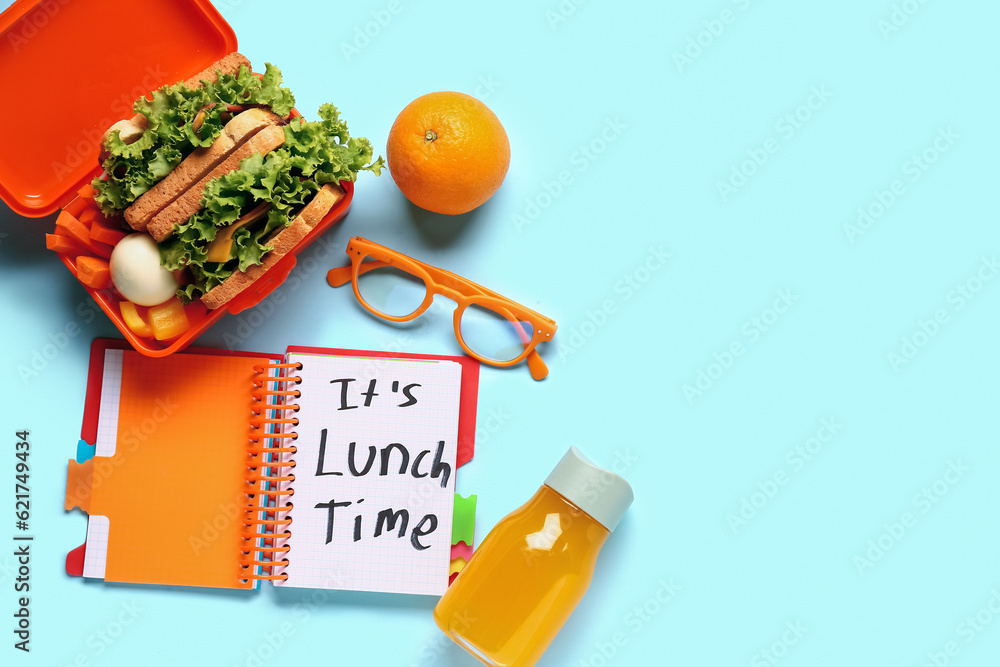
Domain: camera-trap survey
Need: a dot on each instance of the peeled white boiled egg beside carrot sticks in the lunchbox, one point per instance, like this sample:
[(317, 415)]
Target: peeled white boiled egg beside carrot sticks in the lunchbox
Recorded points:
[(136, 272)]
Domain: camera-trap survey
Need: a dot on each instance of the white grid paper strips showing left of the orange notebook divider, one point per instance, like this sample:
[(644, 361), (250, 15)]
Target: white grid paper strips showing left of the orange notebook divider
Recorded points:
[(96, 556)]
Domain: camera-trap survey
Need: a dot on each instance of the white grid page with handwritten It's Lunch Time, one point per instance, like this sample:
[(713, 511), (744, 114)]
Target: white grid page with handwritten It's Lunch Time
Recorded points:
[(325, 555)]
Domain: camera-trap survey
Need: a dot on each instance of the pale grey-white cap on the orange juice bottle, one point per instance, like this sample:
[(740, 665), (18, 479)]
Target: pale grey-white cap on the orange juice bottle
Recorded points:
[(600, 493)]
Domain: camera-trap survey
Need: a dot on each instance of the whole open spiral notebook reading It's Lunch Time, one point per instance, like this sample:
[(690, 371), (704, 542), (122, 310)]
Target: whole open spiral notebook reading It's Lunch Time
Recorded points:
[(319, 468)]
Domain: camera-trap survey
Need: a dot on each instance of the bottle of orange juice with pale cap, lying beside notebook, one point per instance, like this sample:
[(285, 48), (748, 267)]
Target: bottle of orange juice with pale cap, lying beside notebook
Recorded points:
[(521, 585)]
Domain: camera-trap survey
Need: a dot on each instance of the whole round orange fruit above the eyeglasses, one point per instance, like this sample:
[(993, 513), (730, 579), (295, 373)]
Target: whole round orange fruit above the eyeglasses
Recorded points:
[(448, 152)]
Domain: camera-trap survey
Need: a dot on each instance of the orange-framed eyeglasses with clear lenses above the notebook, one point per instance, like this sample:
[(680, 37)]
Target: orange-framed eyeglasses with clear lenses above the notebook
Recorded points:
[(488, 326)]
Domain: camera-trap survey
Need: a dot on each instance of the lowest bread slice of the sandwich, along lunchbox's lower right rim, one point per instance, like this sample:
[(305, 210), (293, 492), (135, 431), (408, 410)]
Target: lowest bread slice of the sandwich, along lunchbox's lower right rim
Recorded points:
[(282, 242)]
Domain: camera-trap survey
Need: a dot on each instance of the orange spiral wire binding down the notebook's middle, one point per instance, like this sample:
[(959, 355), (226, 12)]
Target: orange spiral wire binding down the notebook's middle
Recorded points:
[(266, 524)]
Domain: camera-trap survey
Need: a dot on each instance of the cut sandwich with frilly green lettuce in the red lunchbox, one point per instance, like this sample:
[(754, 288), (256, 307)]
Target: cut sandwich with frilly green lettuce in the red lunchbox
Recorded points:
[(222, 173)]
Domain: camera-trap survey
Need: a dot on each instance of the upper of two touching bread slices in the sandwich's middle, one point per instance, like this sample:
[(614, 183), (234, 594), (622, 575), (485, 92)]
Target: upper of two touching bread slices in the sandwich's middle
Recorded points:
[(194, 167)]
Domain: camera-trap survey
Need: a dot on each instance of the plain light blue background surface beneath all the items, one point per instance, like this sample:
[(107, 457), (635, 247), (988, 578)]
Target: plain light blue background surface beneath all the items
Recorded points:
[(663, 134)]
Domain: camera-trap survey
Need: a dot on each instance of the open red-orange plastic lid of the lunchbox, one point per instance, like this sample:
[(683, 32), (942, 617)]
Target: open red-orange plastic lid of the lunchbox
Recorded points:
[(71, 68)]
